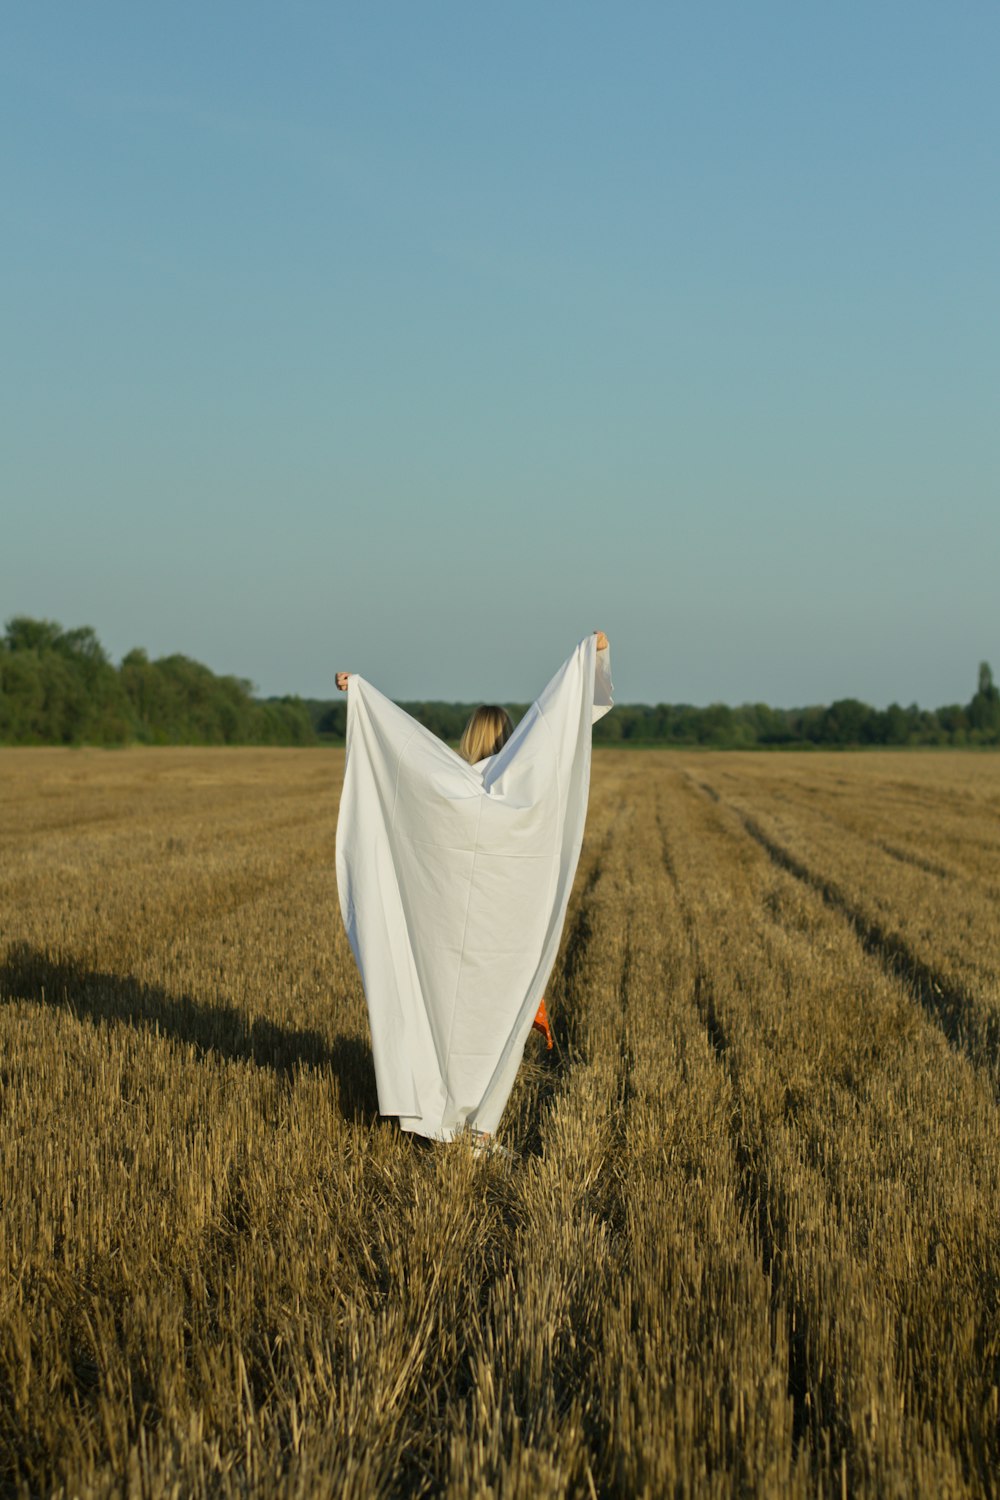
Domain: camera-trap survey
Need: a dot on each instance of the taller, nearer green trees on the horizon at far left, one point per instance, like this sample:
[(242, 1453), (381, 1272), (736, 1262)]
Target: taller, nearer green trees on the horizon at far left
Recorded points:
[(59, 688)]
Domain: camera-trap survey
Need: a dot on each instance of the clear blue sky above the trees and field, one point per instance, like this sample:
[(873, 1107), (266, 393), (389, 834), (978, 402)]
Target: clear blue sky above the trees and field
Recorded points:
[(424, 340)]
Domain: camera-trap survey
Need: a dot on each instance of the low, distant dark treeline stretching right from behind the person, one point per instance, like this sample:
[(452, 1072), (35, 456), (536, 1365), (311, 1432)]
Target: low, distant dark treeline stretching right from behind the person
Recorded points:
[(846, 722)]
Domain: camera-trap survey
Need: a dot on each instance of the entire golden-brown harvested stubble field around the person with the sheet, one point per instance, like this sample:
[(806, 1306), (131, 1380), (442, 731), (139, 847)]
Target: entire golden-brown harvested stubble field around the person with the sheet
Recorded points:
[(750, 1238)]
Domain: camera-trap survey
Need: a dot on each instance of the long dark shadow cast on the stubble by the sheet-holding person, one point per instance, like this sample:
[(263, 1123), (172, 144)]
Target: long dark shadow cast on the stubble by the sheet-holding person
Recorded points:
[(34, 976)]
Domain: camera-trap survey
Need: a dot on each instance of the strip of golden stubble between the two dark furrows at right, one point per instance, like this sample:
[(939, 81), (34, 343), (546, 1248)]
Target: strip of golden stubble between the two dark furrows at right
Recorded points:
[(828, 1058)]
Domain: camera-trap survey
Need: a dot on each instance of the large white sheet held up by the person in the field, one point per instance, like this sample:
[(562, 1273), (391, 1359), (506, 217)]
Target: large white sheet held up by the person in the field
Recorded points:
[(454, 886)]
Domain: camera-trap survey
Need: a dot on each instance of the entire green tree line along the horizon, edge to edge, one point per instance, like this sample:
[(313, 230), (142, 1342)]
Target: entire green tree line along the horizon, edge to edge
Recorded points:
[(61, 688)]
